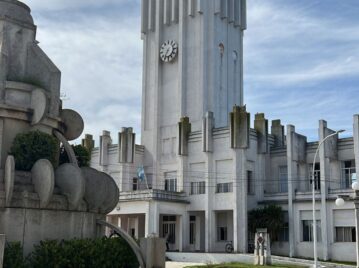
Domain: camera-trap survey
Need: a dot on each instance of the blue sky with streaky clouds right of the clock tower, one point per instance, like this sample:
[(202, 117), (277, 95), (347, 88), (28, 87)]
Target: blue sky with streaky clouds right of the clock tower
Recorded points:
[(301, 63)]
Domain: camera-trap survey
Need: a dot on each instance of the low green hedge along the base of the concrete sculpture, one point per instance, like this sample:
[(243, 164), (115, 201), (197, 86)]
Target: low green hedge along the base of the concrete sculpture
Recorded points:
[(80, 253)]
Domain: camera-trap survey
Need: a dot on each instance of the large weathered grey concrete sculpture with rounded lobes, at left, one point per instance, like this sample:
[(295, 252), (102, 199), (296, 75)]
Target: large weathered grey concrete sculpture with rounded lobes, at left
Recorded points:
[(49, 202)]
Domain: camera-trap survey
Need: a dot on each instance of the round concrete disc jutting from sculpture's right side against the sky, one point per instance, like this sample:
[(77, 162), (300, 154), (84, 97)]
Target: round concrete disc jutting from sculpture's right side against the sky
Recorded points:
[(74, 124)]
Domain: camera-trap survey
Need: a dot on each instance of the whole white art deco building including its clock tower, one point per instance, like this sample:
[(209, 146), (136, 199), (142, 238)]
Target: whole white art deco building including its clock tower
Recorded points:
[(205, 167)]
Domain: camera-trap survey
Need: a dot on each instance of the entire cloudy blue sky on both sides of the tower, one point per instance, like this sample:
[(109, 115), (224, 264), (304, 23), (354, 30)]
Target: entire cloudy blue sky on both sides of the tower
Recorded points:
[(301, 60)]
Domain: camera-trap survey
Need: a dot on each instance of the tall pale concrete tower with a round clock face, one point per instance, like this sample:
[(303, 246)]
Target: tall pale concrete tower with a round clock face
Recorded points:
[(193, 64)]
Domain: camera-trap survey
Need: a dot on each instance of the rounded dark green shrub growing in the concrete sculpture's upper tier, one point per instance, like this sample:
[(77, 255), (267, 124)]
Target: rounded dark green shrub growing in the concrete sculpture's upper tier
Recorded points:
[(29, 147)]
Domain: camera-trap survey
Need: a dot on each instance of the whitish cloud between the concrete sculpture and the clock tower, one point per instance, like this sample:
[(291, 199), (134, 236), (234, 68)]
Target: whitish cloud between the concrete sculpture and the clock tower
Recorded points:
[(100, 58)]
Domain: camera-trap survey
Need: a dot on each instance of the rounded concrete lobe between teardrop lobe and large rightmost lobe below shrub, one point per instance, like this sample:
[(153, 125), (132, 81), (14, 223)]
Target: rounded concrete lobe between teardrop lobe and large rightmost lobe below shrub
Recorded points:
[(70, 180)]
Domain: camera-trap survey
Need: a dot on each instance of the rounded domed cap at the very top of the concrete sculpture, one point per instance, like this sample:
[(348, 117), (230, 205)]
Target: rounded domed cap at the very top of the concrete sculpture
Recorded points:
[(15, 10)]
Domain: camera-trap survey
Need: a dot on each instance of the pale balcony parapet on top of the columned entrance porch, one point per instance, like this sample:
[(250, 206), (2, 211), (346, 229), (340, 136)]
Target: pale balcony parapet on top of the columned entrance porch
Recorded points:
[(153, 194)]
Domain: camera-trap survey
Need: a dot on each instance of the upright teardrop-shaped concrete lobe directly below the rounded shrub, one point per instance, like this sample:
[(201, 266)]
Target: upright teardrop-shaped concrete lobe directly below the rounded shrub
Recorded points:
[(43, 179)]
